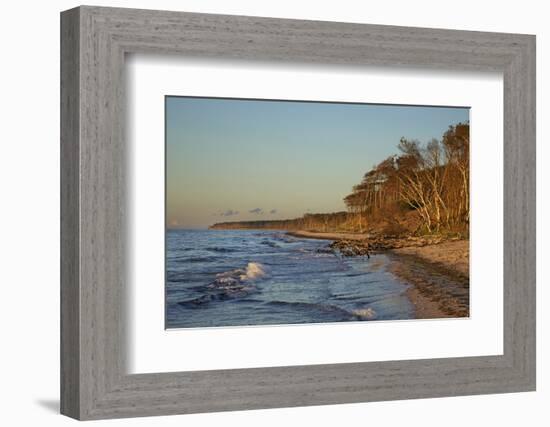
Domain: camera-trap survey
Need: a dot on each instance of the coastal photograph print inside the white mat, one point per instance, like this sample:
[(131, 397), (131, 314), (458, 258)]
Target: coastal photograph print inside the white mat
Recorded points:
[(293, 212)]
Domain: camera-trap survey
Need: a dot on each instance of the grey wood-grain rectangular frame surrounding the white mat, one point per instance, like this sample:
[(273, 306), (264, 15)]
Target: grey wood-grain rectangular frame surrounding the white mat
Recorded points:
[(94, 41)]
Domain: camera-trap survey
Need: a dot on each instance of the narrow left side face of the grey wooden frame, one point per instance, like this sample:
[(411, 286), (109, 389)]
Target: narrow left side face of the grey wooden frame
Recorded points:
[(70, 292)]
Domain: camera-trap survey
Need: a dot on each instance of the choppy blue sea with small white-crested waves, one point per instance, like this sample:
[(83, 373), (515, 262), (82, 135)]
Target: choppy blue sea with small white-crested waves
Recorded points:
[(220, 278)]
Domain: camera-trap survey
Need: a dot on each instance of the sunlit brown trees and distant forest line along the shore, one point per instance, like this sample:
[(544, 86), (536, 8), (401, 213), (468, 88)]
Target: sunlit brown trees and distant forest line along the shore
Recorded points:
[(419, 193)]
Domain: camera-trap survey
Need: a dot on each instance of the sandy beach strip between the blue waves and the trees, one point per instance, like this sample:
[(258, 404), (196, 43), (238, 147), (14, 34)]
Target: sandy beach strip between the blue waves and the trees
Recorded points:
[(436, 269)]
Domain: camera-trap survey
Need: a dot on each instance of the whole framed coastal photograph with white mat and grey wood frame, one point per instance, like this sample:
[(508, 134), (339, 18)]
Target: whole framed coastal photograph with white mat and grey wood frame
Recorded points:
[(262, 213)]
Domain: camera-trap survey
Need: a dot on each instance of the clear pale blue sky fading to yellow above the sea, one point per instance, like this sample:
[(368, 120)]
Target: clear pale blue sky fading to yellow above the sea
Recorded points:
[(236, 160)]
